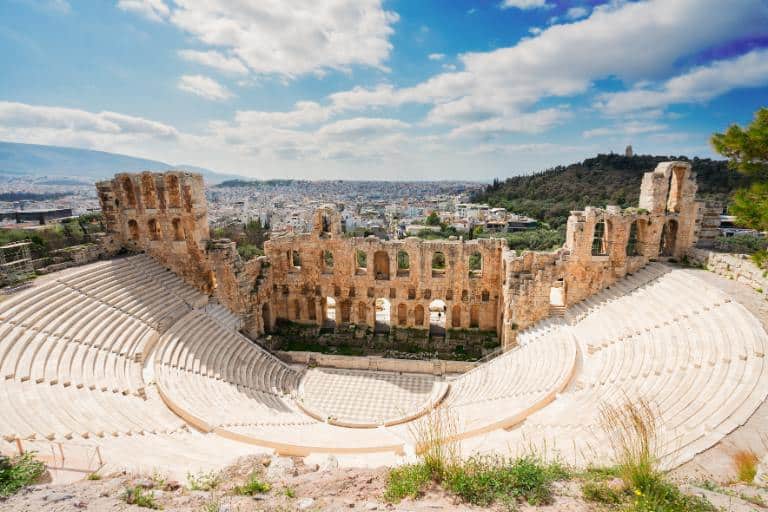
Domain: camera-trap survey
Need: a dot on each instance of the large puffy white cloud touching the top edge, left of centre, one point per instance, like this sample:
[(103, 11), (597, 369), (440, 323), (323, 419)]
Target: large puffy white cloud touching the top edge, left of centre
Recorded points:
[(291, 38)]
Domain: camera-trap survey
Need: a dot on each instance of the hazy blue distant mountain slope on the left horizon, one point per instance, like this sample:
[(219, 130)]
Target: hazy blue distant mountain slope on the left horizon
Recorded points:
[(62, 163)]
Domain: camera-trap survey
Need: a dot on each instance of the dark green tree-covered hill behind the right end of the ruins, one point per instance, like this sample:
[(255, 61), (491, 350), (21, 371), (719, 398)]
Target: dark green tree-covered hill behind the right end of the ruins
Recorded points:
[(605, 179)]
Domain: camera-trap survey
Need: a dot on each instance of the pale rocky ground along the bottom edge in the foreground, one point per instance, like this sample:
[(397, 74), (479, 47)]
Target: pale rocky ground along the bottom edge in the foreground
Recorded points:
[(295, 486)]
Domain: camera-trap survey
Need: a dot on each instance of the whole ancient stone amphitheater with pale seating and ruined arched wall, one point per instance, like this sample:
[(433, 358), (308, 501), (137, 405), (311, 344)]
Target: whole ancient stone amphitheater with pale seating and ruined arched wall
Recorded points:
[(154, 358)]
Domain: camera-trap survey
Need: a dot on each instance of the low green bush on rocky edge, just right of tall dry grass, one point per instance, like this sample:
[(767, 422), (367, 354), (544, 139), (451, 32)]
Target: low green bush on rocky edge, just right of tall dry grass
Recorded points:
[(484, 480)]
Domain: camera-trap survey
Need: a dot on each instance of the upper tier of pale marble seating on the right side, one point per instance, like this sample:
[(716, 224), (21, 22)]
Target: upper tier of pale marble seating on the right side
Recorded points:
[(695, 356)]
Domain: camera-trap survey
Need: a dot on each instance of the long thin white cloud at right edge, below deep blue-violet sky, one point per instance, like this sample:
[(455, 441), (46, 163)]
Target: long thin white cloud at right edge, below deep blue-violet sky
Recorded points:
[(699, 84)]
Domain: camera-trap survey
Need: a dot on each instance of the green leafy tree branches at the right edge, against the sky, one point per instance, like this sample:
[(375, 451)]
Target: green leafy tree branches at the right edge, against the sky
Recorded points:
[(747, 152)]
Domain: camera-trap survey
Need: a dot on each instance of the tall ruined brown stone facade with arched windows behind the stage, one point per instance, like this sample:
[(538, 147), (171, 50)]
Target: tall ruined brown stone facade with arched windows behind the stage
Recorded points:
[(439, 288)]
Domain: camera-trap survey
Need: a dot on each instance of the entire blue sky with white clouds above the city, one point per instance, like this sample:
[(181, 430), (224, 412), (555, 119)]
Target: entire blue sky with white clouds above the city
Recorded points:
[(370, 89)]
